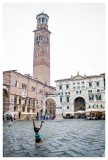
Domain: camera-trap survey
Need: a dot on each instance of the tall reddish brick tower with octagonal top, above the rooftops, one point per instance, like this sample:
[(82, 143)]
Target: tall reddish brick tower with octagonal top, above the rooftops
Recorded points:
[(41, 58)]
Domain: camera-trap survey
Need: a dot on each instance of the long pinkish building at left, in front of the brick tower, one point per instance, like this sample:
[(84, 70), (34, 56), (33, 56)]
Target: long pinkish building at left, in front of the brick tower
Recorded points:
[(23, 96)]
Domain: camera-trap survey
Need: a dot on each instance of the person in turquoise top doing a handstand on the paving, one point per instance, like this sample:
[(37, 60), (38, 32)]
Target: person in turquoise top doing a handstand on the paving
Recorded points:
[(36, 130)]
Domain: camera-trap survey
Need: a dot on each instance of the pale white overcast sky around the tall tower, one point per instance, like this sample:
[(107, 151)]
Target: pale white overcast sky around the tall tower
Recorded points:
[(77, 39)]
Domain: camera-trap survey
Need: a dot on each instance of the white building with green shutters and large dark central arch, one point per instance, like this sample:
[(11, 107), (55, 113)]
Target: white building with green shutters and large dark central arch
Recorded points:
[(81, 92)]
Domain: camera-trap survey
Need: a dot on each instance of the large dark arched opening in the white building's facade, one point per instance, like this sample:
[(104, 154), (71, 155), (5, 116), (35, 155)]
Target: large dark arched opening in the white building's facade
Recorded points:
[(79, 104)]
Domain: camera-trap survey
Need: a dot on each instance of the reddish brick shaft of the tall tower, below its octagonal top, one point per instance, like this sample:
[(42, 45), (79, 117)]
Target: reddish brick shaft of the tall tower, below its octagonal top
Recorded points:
[(41, 59)]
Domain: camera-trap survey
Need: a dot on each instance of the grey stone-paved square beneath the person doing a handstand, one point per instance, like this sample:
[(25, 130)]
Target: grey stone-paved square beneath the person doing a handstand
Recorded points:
[(70, 138)]
